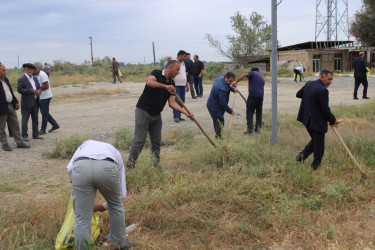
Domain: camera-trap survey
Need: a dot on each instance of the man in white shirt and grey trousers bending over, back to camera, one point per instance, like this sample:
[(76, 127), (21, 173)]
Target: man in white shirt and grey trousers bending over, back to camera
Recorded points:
[(98, 166)]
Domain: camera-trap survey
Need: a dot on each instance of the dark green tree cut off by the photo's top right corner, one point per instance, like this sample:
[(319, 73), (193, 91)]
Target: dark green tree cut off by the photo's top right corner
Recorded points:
[(363, 26)]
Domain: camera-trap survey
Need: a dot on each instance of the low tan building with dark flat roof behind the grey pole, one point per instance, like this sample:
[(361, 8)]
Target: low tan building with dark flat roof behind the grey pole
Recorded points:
[(337, 56)]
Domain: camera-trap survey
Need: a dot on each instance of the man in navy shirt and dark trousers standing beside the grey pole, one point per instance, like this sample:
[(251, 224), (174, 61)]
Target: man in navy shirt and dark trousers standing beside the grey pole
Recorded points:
[(255, 99)]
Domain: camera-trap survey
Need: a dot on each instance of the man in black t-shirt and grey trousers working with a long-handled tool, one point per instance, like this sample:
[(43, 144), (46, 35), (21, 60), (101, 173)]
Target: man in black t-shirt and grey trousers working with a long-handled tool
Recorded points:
[(159, 89)]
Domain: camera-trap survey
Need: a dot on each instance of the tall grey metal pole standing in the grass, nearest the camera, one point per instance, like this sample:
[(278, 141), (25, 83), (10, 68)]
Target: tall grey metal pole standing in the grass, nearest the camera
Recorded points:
[(274, 70)]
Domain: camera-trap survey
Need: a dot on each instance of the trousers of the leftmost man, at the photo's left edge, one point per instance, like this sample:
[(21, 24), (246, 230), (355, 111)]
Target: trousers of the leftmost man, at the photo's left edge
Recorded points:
[(13, 126)]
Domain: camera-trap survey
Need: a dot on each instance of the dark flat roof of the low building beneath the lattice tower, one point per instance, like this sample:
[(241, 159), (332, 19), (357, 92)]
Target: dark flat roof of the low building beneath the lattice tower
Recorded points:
[(318, 45)]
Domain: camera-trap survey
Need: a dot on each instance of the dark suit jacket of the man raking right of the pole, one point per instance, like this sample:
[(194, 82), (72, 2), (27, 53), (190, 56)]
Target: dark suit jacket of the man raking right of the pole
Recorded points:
[(314, 111)]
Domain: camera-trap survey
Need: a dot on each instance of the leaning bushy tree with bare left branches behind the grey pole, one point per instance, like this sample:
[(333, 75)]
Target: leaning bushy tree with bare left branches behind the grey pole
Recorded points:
[(251, 41)]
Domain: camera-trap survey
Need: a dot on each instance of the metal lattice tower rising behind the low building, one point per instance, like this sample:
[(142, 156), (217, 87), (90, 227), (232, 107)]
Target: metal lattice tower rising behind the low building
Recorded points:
[(332, 19)]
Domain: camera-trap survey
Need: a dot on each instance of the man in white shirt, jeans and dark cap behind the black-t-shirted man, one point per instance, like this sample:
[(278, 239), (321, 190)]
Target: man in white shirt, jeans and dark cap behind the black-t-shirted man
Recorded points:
[(181, 84)]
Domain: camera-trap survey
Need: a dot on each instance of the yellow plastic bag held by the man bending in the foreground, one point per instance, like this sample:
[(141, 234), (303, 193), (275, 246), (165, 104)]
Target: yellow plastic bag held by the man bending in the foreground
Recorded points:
[(65, 238)]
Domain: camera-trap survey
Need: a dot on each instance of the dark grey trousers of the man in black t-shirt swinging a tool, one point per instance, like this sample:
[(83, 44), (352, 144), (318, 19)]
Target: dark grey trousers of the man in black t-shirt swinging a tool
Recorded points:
[(145, 123)]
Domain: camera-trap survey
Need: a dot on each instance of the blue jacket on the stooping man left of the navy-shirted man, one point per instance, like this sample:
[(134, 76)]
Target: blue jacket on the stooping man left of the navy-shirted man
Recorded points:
[(217, 102)]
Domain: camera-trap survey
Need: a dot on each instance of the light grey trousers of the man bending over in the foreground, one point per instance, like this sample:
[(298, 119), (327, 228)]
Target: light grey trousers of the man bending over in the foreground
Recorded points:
[(87, 177)]
